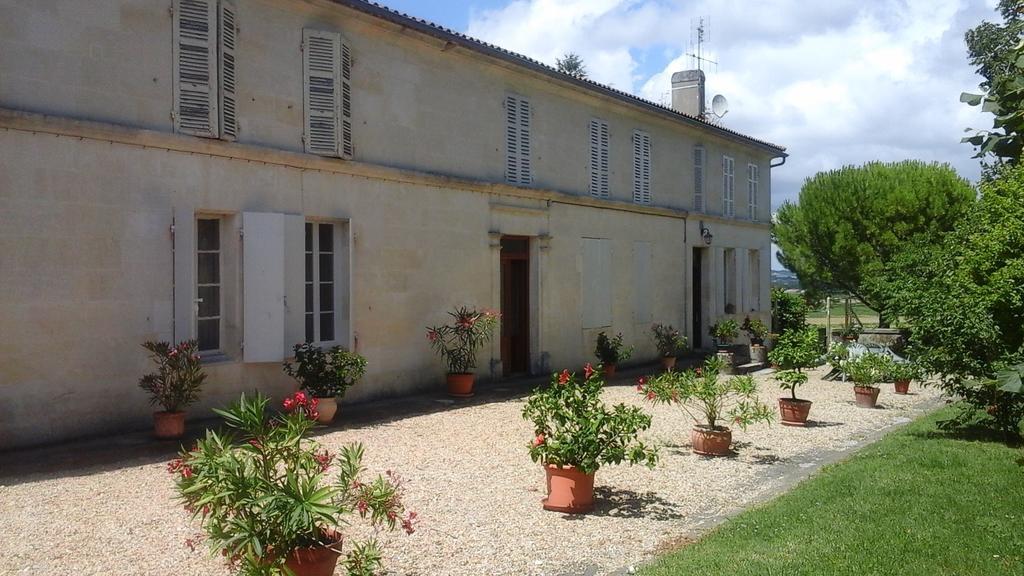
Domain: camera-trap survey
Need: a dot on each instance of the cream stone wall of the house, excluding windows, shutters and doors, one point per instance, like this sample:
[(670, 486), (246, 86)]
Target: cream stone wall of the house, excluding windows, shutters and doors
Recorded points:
[(88, 269)]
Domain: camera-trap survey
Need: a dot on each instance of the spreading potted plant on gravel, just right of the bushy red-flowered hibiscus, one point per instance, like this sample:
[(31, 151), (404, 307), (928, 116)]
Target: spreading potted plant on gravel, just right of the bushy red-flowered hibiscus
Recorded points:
[(710, 401)]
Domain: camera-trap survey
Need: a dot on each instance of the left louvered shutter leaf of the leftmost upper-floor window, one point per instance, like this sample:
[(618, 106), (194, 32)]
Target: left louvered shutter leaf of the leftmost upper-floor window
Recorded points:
[(196, 67)]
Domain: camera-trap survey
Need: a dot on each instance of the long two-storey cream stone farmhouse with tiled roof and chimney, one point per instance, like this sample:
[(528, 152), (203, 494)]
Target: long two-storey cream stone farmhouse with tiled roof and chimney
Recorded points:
[(257, 174)]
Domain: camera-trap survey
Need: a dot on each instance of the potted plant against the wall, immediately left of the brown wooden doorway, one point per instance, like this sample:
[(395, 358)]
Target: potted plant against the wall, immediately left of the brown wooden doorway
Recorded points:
[(458, 343)]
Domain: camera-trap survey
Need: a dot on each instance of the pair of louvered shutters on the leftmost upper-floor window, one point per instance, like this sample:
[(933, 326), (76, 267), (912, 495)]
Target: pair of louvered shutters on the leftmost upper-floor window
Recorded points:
[(205, 37)]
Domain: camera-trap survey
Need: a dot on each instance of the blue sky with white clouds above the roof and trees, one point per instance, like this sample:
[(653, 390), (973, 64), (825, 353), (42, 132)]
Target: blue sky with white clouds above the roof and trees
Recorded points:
[(838, 84)]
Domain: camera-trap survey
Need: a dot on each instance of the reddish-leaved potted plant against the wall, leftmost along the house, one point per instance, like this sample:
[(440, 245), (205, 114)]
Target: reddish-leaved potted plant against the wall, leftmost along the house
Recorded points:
[(175, 386)]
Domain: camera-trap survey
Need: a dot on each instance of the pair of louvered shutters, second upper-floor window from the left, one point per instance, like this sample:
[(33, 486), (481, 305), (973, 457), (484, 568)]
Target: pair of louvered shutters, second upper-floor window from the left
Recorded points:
[(327, 68)]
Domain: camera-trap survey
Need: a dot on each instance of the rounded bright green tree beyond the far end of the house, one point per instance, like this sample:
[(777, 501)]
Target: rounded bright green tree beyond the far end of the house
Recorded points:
[(848, 224)]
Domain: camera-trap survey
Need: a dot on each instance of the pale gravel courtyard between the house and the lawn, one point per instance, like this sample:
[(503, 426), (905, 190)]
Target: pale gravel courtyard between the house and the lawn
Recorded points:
[(471, 480)]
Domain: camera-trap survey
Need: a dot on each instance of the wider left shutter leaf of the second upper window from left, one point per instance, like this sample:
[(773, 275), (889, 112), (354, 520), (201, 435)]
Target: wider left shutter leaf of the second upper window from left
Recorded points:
[(322, 71)]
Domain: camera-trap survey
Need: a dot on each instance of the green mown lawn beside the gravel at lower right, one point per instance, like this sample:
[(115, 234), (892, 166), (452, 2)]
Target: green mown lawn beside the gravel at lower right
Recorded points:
[(918, 503)]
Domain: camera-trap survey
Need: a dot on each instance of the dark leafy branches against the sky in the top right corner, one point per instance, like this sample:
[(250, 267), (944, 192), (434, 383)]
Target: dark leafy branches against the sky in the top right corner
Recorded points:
[(996, 52)]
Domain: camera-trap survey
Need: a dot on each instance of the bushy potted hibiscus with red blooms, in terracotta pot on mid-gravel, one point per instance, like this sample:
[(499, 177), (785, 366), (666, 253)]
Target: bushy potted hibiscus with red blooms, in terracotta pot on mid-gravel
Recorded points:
[(577, 434)]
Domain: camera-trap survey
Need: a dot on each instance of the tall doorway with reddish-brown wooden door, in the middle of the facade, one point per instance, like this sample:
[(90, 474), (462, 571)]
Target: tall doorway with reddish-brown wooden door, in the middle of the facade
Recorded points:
[(516, 305)]
